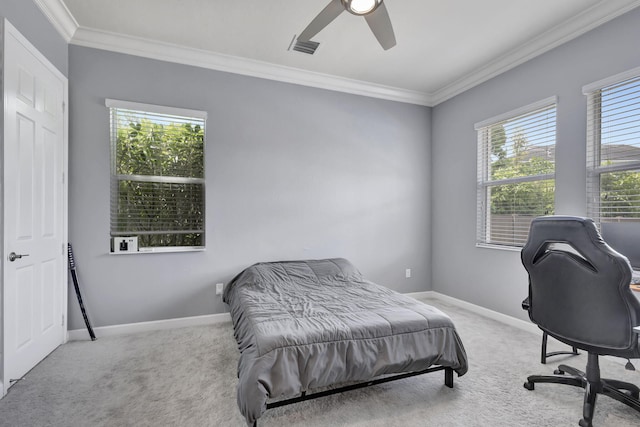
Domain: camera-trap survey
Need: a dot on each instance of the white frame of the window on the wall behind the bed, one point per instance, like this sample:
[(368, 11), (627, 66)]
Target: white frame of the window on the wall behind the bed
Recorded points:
[(152, 109)]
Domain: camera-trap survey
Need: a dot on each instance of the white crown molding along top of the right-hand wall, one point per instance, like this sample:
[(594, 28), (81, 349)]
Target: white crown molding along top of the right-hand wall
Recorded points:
[(591, 18)]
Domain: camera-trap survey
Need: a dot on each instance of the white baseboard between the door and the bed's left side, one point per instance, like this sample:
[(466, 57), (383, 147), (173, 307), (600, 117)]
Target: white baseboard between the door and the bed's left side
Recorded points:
[(156, 325)]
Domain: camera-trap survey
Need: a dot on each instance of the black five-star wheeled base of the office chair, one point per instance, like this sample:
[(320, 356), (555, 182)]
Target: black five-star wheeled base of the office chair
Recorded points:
[(624, 392)]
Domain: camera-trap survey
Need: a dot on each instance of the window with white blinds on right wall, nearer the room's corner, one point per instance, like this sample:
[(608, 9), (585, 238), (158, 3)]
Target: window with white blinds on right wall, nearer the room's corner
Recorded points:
[(516, 173)]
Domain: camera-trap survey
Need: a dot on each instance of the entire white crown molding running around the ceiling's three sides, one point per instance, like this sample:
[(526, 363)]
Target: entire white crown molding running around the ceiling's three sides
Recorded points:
[(61, 18)]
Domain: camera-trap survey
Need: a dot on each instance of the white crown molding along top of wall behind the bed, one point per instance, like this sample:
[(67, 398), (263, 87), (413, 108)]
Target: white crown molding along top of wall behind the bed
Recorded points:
[(163, 51)]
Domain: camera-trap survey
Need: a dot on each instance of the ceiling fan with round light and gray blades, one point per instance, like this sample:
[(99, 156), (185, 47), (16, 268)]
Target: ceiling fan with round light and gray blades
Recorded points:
[(374, 12)]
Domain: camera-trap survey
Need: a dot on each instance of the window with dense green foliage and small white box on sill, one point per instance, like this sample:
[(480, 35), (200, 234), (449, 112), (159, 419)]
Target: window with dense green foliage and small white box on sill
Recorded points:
[(157, 178)]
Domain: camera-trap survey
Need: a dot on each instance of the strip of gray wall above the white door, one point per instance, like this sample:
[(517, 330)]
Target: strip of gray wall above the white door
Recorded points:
[(29, 20)]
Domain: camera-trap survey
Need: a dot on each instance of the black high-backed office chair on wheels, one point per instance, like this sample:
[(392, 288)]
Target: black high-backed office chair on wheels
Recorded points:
[(579, 294)]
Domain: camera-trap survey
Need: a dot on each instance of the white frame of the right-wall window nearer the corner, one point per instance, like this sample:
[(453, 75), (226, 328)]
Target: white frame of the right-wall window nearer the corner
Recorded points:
[(484, 181)]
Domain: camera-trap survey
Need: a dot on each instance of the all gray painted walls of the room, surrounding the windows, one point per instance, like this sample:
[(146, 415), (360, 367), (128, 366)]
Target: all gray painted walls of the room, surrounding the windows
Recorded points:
[(295, 172)]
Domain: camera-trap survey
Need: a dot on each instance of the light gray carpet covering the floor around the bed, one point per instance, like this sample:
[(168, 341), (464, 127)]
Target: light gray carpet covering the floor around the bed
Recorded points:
[(187, 377)]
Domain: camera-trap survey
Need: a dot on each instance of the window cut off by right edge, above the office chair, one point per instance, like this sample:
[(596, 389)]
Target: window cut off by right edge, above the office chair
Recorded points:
[(613, 160)]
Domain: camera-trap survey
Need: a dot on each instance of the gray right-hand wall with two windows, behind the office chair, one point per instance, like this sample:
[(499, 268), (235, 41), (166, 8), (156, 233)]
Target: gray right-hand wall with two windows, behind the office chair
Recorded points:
[(495, 278)]
